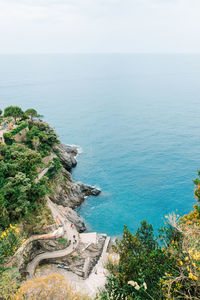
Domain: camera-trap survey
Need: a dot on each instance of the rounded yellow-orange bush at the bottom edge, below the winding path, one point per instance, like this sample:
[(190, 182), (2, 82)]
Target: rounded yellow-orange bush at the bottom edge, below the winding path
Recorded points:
[(44, 288)]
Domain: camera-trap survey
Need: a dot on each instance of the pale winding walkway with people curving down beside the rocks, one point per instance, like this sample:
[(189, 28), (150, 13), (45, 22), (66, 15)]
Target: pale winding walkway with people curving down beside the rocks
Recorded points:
[(69, 232)]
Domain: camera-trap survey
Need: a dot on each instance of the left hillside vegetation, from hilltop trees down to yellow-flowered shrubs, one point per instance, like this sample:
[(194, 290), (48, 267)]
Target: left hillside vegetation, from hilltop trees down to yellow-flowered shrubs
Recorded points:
[(22, 195)]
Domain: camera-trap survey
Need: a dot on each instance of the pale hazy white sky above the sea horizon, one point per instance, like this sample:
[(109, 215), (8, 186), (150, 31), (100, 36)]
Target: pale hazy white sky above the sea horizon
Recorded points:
[(29, 26)]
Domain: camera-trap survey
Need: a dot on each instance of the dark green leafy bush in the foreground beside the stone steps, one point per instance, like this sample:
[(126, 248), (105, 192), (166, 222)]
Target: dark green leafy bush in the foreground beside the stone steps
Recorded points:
[(142, 261)]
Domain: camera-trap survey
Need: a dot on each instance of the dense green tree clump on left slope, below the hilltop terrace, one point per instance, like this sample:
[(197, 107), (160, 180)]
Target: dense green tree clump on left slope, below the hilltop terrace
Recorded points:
[(18, 189)]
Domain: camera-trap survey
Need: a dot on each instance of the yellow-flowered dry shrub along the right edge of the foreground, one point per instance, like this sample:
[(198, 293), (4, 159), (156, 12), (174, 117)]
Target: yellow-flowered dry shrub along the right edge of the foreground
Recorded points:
[(185, 283)]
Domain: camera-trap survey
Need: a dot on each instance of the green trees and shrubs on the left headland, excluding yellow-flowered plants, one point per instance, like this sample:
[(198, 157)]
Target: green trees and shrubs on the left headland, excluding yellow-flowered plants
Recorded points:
[(19, 164)]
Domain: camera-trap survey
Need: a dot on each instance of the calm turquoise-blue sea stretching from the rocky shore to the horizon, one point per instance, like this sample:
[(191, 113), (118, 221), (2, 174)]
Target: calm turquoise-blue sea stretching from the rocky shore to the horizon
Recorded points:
[(137, 119)]
